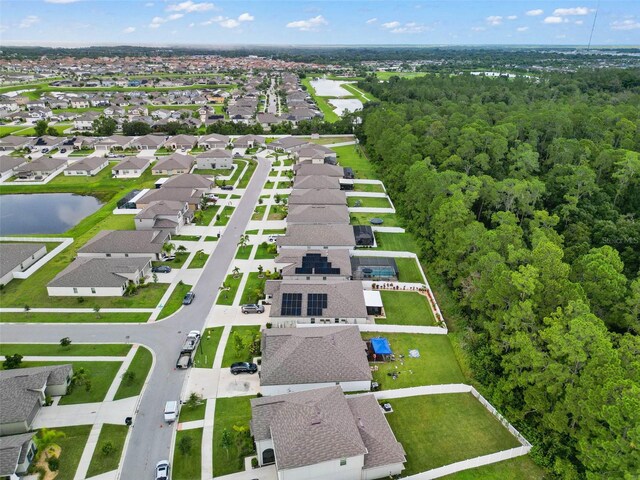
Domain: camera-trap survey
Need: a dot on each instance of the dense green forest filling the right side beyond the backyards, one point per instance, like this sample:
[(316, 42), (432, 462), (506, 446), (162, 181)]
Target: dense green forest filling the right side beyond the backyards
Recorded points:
[(525, 197)]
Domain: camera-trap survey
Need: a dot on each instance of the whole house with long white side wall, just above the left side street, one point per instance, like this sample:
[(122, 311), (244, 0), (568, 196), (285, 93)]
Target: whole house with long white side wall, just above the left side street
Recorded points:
[(99, 277)]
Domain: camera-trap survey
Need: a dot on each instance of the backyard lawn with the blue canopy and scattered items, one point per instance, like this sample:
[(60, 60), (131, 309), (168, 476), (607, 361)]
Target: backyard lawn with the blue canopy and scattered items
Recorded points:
[(437, 364)]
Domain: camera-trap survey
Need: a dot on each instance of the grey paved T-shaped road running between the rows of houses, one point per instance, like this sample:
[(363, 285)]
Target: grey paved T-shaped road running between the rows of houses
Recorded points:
[(151, 438)]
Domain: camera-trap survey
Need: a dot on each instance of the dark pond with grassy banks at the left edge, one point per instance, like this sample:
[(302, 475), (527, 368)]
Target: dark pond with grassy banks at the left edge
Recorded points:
[(44, 212)]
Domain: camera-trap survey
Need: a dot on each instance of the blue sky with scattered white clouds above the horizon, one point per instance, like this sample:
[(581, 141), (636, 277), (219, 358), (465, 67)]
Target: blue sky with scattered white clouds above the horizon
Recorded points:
[(202, 22)]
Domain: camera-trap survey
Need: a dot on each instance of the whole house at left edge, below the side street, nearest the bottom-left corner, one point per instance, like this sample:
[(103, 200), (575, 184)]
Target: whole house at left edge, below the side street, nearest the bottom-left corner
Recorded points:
[(23, 392)]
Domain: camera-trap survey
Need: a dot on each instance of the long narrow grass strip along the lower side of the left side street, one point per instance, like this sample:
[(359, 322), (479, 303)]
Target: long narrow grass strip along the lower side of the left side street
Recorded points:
[(73, 350)]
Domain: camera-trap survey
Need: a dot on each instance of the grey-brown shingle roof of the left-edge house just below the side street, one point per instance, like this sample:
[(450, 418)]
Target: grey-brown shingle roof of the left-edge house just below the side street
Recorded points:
[(19, 389)]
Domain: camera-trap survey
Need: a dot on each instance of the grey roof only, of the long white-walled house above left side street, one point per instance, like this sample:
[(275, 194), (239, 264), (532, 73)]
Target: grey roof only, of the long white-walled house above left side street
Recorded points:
[(98, 272)]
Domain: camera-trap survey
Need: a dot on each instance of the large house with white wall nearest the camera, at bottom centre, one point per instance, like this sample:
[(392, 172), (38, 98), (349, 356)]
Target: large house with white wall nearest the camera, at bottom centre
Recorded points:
[(325, 435)]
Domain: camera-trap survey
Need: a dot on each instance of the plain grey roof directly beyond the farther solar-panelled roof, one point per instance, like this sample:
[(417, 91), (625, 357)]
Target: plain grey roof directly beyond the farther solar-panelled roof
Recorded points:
[(318, 235)]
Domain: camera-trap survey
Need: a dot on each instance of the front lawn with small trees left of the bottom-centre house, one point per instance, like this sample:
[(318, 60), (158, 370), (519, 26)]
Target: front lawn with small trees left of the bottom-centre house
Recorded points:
[(229, 412)]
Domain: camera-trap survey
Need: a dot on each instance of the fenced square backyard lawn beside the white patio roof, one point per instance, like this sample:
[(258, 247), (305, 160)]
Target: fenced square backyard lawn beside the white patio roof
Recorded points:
[(406, 308)]
